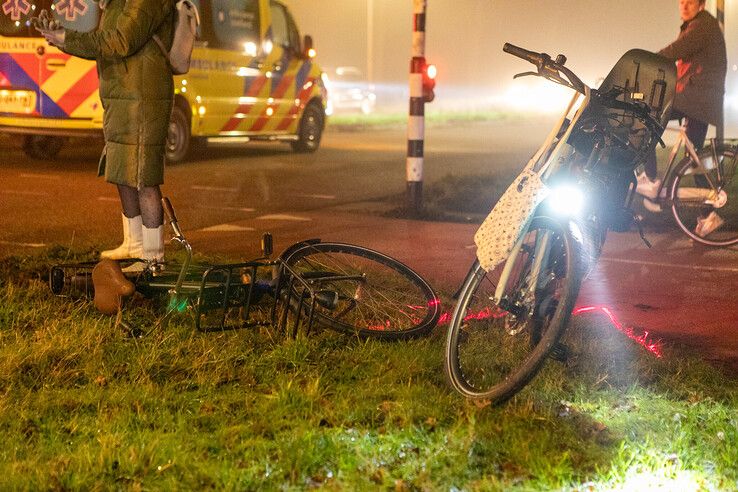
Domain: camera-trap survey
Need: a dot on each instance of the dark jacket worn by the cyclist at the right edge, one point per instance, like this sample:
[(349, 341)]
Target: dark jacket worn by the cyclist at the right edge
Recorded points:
[(701, 65)]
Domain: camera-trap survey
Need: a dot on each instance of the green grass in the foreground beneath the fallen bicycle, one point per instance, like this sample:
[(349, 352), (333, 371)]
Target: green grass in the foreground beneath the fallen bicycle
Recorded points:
[(82, 407)]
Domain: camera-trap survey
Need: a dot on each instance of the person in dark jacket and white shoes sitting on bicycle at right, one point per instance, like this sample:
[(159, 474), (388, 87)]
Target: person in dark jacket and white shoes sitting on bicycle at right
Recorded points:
[(700, 55)]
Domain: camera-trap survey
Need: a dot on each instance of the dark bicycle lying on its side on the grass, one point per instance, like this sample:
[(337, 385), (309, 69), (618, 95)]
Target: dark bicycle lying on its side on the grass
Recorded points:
[(345, 287)]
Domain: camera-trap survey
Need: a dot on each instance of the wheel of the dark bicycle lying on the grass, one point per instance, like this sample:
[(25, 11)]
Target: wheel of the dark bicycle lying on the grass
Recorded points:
[(375, 295)]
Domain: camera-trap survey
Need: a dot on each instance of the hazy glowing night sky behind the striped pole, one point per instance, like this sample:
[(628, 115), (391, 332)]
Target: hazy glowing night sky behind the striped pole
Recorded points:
[(464, 38)]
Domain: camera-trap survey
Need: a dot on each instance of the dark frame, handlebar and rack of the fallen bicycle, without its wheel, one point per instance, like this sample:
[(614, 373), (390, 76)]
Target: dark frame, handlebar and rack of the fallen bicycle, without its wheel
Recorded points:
[(210, 289)]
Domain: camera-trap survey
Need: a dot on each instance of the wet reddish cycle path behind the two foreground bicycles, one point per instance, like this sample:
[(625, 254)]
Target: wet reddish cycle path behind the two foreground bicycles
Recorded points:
[(677, 290)]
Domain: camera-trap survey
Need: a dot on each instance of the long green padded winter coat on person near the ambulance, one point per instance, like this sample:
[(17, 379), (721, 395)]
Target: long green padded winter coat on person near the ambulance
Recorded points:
[(136, 86)]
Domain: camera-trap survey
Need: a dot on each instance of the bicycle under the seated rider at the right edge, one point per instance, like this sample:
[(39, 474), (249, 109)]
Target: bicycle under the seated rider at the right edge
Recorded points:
[(701, 190)]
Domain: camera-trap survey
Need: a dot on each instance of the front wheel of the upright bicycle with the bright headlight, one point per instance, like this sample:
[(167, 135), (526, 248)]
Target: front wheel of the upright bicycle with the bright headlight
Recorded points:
[(494, 349)]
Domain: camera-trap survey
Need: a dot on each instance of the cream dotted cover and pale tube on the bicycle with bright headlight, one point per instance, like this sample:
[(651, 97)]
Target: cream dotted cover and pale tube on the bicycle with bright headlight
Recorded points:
[(512, 214)]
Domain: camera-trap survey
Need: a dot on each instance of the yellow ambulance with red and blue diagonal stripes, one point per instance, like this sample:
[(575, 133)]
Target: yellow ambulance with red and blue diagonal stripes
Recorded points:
[(252, 76)]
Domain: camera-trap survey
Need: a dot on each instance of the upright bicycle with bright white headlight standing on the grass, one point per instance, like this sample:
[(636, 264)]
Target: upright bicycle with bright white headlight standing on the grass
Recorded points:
[(509, 319)]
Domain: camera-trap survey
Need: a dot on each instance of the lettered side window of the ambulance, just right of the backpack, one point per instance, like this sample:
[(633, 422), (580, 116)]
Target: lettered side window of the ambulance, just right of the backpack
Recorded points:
[(235, 23)]
